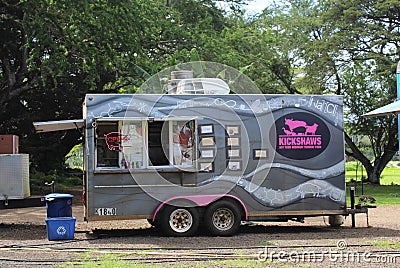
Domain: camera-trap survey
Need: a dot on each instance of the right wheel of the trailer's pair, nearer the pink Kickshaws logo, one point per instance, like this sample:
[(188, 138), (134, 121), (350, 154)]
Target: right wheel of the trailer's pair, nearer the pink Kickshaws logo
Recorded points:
[(222, 218)]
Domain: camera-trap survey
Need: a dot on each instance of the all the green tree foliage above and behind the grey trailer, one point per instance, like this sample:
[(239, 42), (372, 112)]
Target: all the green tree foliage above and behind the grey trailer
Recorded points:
[(54, 51)]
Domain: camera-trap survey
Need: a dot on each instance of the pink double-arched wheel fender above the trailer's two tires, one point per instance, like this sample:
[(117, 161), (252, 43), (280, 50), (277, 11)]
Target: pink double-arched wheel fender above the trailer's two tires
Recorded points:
[(198, 200)]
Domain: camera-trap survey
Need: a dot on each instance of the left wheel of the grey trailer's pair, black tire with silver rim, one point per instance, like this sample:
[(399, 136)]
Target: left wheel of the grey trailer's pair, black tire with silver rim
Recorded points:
[(179, 221)]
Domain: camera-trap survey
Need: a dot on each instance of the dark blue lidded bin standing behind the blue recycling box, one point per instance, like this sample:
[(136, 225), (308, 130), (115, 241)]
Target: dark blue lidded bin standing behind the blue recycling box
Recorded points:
[(59, 205)]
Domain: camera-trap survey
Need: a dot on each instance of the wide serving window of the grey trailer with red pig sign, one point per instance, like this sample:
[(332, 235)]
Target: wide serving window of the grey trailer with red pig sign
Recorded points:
[(145, 143)]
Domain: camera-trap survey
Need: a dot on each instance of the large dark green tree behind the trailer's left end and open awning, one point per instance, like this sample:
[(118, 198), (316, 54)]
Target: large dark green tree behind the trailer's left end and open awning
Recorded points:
[(53, 52)]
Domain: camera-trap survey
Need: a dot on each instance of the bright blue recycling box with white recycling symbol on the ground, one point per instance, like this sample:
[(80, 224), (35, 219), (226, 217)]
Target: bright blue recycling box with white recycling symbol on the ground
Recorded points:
[(61, 228)]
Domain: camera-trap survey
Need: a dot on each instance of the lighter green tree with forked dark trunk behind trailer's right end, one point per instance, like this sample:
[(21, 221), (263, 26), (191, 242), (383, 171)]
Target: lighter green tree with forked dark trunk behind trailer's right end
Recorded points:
[(350, 48)]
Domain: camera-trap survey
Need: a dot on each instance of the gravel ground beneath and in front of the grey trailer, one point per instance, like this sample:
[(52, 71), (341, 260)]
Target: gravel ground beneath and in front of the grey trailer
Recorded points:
[(24, 242)]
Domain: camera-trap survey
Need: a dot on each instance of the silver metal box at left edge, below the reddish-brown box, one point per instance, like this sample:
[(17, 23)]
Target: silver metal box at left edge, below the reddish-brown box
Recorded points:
[(14, 176)]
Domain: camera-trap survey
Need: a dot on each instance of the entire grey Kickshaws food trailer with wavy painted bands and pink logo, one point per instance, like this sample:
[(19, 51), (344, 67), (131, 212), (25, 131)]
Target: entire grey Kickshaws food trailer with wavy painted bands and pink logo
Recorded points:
[(208, 159)]
